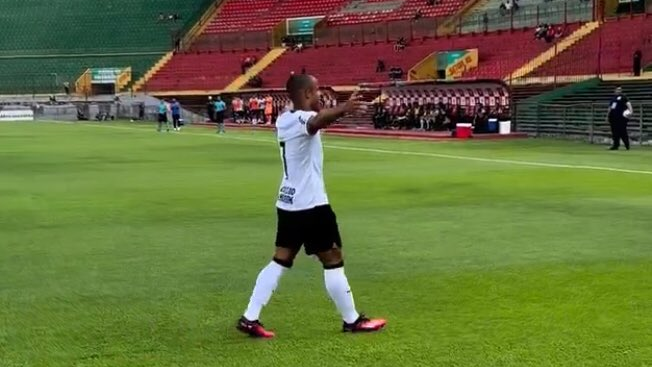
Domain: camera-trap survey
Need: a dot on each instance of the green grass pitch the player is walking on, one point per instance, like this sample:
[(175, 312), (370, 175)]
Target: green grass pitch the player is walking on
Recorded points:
[(123, 247)]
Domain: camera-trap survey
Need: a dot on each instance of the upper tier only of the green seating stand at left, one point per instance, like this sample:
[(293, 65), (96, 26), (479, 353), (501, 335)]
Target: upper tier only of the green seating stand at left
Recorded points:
[(66, 26)]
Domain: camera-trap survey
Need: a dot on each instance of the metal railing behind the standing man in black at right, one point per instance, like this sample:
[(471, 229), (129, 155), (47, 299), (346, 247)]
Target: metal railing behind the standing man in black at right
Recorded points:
[(582, 121)]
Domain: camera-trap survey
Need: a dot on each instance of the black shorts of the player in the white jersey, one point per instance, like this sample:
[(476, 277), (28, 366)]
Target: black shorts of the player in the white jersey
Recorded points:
[(316, 229)]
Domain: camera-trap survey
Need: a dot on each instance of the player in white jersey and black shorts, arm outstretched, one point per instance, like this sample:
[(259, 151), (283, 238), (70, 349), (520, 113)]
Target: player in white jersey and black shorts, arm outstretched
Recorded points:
[(304, 216)]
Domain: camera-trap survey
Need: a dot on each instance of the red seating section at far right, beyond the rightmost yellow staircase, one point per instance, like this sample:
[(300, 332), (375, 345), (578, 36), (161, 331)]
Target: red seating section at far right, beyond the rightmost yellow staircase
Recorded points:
[(607, 50)]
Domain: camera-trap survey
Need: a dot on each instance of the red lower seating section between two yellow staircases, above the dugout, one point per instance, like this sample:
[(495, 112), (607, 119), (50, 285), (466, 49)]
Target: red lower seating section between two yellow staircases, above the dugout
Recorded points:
[(495, 60)]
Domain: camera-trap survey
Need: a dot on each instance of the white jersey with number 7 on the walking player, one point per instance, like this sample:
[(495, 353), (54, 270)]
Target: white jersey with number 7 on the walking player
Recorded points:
[(302, 157)]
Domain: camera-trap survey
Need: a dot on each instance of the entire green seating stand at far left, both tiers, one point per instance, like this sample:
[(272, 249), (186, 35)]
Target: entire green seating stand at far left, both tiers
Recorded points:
[(53, 41)]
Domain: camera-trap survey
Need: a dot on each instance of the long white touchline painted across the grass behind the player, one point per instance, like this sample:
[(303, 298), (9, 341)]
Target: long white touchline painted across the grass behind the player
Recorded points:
[(412, 153)]
